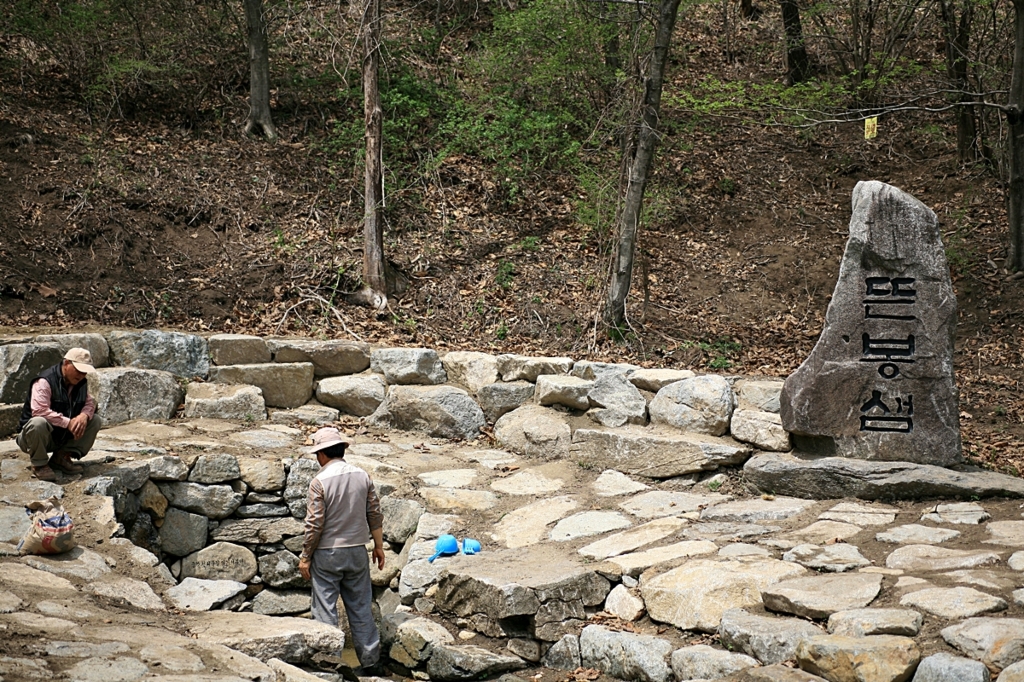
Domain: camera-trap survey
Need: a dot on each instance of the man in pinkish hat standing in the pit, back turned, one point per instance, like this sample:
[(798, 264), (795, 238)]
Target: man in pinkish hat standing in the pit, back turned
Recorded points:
[(343, 514)]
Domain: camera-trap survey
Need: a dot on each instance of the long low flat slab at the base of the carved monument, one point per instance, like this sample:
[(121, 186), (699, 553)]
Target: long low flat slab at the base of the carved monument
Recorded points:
[(832, 478)]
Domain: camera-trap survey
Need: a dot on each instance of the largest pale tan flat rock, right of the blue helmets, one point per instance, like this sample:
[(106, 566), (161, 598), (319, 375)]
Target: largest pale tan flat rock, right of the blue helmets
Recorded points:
[(695, 595)]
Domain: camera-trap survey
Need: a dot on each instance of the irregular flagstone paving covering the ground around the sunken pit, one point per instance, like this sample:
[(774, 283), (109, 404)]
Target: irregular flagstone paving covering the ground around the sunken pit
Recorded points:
[(691, 578)]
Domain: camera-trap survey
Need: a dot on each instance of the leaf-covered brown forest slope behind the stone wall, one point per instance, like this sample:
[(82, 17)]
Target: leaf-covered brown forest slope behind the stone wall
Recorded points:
[(149, 223)]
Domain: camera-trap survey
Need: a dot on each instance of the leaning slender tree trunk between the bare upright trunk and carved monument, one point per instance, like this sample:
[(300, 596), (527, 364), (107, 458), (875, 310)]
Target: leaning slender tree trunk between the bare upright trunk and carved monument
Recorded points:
[(622, 271)]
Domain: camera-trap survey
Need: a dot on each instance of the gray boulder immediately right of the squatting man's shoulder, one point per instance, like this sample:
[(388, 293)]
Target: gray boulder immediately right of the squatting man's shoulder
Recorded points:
[(123, 395)]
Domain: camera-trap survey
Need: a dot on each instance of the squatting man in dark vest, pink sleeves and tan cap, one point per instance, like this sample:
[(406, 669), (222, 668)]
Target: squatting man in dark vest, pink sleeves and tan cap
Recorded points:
[(60, 417)]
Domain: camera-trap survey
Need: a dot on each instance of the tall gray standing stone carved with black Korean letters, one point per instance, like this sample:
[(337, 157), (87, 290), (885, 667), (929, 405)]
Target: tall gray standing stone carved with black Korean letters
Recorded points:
[(880, 383)]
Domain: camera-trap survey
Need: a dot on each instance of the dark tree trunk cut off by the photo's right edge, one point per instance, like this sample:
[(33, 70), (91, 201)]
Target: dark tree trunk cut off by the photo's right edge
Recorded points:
[(1015, 117)]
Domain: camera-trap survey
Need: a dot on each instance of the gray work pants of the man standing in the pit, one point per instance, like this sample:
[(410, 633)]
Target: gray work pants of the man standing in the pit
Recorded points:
[(346, 572)]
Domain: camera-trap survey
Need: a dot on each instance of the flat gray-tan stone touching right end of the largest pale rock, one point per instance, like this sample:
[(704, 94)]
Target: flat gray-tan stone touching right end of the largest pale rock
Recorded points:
[(821, 596)]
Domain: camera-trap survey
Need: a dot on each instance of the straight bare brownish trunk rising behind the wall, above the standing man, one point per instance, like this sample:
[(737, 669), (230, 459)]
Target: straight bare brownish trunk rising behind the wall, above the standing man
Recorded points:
[(373, 225)]
